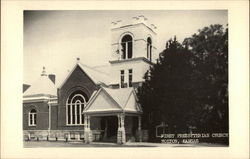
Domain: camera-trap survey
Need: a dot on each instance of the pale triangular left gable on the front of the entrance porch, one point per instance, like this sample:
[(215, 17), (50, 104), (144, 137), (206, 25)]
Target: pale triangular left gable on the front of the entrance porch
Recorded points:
[(103, 102)]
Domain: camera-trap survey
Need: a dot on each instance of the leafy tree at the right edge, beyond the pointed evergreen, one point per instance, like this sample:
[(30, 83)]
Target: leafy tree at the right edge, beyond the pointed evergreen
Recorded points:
[(210, 49)]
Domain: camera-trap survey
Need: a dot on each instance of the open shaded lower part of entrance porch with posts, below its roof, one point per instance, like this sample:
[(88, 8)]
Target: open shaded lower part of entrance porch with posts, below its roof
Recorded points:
[(117, 127)]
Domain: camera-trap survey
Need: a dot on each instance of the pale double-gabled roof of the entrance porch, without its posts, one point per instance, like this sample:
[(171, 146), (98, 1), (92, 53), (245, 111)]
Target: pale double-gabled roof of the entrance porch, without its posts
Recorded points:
[(110, 101)]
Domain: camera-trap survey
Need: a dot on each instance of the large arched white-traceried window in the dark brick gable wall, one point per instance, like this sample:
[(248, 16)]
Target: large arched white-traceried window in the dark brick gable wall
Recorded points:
[(74, 107)]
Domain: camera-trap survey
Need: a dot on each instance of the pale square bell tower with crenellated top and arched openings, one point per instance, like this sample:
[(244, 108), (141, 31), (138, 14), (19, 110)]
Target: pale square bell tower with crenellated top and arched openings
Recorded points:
[(132, 50)]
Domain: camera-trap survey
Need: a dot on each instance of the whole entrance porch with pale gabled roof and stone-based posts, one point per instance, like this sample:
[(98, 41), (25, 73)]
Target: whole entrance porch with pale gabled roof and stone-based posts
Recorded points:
[(119, 112)]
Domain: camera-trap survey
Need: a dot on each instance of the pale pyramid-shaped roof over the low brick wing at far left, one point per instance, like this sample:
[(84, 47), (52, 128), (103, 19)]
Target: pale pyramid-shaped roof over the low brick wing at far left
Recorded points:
[(42, 86)]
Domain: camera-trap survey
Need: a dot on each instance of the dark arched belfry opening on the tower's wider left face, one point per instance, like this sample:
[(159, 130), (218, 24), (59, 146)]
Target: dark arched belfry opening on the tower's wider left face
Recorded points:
[(127, 47)]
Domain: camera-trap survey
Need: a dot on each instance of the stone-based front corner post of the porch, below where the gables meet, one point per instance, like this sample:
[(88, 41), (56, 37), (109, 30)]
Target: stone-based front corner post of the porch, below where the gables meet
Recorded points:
[(121, 135)]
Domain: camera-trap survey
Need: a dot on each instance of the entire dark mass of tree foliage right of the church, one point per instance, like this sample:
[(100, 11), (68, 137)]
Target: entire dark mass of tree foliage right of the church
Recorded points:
[(188, 86)]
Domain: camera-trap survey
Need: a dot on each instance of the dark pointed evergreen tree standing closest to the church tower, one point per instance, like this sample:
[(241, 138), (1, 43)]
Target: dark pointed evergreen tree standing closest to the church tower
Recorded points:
[(165, 95)]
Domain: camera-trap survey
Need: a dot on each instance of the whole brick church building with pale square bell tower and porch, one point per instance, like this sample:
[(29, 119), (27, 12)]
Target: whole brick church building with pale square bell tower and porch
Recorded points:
[(95, 103)]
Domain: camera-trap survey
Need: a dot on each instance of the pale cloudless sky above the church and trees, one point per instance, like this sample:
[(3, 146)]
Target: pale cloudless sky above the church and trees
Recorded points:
[(54, 39)]
